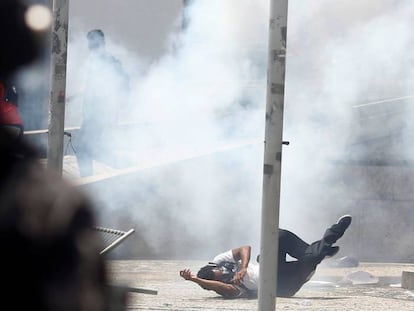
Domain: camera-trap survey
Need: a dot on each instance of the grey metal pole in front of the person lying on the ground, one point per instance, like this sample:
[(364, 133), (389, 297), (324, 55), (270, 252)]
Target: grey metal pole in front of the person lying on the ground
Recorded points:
[(272, 155)]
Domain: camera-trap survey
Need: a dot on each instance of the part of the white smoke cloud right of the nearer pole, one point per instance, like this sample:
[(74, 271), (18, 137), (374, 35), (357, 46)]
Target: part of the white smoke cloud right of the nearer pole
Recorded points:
[(343, 55)]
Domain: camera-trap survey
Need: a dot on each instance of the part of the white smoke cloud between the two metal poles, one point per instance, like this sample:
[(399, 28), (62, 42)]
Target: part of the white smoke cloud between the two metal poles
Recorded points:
[(206, 94)]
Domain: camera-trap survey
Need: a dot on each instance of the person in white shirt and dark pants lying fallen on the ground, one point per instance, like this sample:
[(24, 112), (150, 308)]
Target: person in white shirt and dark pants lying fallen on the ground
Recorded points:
[(232, 275)]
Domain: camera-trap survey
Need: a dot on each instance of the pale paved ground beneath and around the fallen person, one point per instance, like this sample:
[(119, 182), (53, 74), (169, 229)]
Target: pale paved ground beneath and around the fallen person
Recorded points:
[(326, 291)]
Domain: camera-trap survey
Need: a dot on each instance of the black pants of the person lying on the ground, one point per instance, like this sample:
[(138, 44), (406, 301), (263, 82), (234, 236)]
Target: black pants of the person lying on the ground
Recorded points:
[(293, 274)]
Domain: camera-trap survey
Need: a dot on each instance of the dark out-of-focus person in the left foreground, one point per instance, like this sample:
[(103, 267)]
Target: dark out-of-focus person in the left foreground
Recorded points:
[(50, 252)]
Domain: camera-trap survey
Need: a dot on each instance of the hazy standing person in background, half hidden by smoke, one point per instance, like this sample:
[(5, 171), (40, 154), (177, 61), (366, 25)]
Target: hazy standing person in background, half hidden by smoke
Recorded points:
[(105, 92)]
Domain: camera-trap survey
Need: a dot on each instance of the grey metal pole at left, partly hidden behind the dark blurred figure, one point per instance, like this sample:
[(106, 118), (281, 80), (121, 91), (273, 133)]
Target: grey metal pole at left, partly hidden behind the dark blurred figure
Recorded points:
[(58, 85)]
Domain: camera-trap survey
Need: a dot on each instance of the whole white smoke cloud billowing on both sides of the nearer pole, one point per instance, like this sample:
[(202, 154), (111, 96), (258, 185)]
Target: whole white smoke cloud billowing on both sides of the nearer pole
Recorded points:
[(209, 90)]
